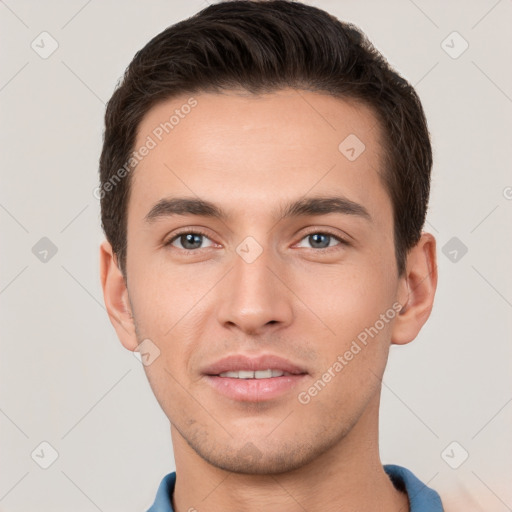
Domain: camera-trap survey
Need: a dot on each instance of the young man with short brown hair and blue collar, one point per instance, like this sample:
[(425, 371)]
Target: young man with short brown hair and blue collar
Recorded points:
[(264, 183)]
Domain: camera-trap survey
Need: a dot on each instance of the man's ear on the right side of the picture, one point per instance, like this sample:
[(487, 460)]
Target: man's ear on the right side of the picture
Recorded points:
[(416, 290)]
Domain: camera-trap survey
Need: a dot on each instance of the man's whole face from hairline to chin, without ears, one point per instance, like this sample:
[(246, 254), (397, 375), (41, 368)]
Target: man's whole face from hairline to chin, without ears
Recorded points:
[(286, 264)]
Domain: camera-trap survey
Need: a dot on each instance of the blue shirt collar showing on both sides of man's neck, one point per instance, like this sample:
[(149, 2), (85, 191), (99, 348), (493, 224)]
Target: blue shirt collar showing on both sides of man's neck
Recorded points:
[(421, 497)]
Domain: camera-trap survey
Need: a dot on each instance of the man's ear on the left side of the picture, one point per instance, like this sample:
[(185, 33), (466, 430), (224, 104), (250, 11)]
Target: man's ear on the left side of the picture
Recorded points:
[(115, 294)]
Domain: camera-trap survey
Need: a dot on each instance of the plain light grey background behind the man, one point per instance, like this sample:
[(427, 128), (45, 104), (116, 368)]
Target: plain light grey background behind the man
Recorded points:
[(64, 377)]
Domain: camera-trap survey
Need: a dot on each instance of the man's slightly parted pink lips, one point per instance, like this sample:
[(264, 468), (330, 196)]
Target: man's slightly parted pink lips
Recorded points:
[(253, 390)]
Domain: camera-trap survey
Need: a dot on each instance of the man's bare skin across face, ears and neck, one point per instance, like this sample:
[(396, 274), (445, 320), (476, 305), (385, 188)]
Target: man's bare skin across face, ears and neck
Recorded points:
[(250, 155)]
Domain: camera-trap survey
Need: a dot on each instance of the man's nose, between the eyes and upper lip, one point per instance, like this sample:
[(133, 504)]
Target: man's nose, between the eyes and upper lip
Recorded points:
[(255, 297)]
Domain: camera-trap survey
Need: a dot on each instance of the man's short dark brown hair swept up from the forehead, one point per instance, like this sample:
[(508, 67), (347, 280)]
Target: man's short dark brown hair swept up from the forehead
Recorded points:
[(262, 47)]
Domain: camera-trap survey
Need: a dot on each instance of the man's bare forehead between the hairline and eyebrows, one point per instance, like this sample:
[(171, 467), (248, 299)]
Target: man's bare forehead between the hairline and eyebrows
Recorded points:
[(249, 150)]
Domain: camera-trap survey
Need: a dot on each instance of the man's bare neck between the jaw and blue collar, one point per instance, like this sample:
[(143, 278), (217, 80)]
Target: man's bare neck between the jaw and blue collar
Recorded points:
[(348, 476)]
